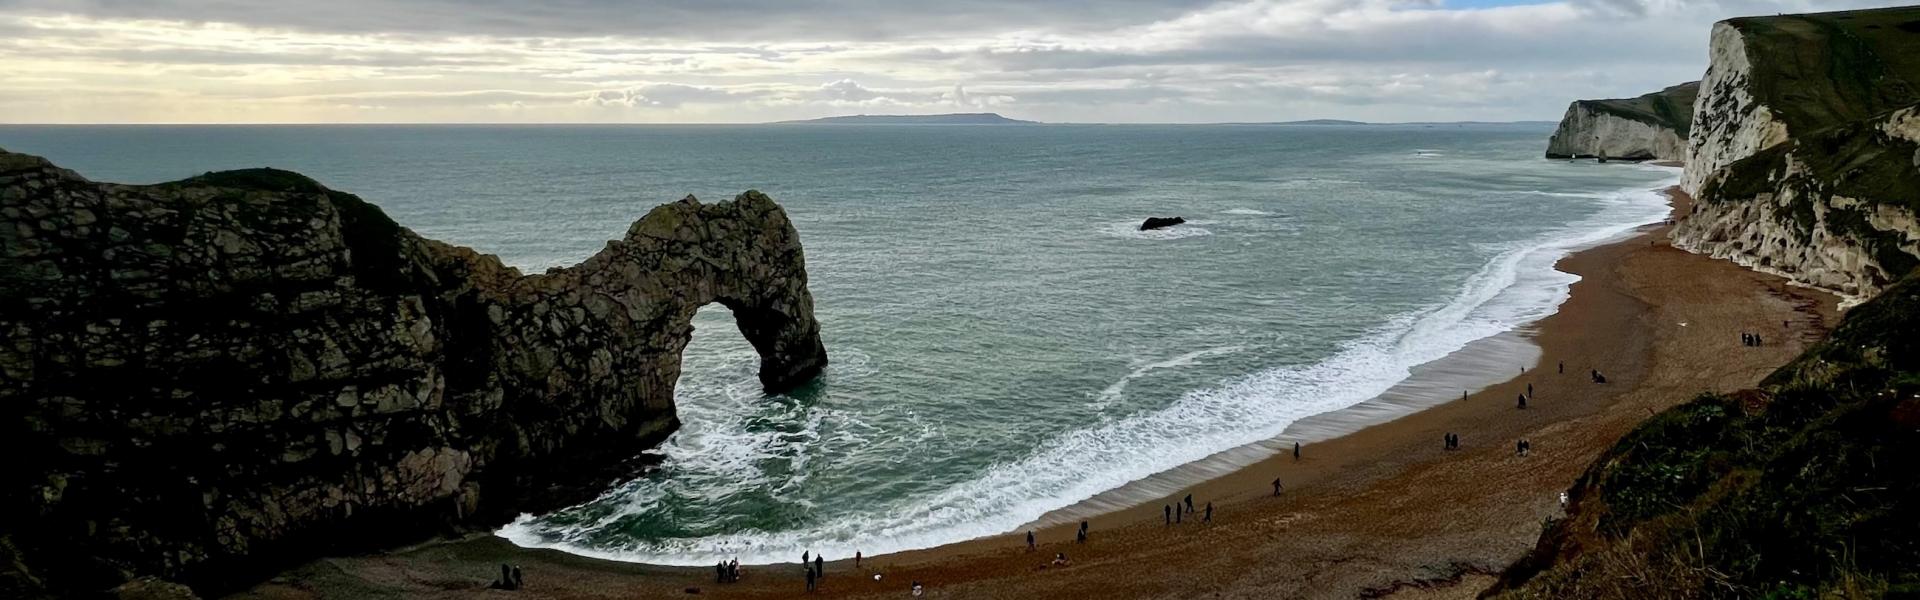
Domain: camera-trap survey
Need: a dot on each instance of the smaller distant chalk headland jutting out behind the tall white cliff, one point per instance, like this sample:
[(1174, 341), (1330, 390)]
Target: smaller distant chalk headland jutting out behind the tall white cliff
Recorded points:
[(1648, 128)]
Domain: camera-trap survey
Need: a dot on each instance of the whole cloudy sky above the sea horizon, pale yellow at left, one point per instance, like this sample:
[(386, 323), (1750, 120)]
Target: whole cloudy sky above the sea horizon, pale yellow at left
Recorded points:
[(769, 61)]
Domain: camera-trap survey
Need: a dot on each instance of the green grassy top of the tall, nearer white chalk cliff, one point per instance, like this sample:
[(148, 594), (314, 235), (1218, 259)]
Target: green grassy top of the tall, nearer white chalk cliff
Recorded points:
[(1823, 70)]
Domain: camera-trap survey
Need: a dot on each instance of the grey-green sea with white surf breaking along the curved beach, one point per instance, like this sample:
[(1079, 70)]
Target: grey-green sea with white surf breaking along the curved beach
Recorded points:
[(1005, 343)]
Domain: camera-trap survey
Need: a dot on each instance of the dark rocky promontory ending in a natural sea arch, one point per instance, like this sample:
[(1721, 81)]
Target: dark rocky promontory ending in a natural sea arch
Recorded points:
[(208, 378)]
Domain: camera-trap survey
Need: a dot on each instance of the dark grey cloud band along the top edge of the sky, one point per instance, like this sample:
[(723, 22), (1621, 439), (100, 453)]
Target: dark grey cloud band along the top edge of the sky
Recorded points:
[(706, 20)]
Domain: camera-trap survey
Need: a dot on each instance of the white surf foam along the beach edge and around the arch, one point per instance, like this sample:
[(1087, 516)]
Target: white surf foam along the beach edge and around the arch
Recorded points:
[(1516, 287)]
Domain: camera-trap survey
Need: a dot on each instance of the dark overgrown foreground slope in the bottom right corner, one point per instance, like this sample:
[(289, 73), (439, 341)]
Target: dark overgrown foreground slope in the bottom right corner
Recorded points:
[(1802, 489)]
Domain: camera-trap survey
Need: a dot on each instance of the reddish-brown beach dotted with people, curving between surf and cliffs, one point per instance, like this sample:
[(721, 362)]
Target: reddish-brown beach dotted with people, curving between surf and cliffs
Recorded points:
[(1376, 512)]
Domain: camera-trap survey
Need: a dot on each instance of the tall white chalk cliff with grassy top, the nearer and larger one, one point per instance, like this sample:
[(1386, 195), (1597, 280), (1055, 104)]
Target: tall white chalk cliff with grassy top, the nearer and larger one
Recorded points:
[(1802, 149)]
